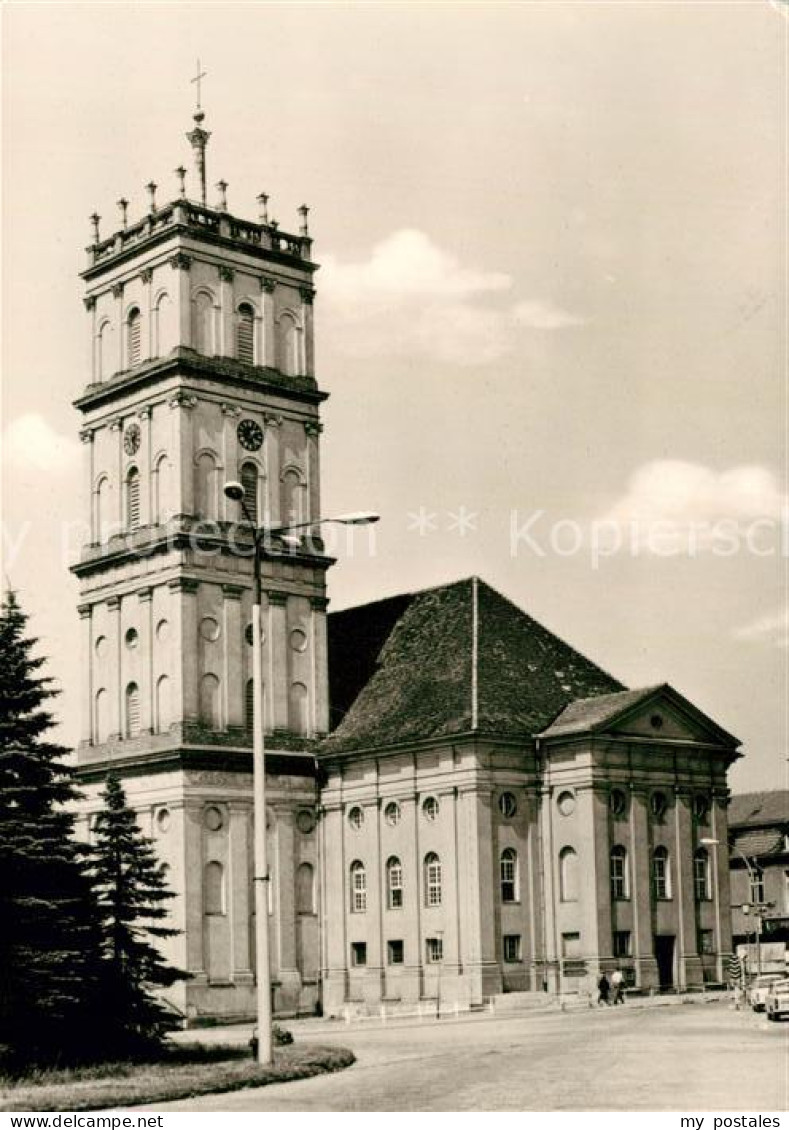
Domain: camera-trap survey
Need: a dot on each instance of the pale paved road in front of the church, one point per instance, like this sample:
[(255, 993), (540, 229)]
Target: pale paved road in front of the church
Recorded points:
[(684, 1058)]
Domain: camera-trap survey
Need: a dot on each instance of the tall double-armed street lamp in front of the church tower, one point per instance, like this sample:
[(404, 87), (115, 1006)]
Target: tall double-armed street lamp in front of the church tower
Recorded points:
[(236, 493)]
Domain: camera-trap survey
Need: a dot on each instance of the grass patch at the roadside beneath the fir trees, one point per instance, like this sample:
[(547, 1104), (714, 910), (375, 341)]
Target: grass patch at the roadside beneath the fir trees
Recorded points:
[(183, 1071)]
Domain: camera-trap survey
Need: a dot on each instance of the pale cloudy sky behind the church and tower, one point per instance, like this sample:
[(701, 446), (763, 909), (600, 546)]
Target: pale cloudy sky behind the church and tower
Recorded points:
[(551, 311)]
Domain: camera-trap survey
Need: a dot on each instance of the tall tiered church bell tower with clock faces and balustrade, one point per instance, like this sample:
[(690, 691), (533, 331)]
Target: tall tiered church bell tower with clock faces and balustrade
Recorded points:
[(202, 372)]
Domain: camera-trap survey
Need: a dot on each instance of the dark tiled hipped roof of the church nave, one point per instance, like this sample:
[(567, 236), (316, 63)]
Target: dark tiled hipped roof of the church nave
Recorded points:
[(446, 662)]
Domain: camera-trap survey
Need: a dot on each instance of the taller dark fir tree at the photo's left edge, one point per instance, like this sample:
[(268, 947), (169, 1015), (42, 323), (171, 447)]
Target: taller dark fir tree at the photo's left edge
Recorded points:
[(49, 941)]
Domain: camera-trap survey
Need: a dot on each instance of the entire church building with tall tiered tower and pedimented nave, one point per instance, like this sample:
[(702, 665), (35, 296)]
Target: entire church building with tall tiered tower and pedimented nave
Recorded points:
[(459, 804)]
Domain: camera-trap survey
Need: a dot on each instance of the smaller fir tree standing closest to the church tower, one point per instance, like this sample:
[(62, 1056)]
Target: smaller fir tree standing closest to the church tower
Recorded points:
[(133, 898)]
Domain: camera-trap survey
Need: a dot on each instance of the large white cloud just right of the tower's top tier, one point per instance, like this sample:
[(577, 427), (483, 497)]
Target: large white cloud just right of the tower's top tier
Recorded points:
[(412, 299)]
